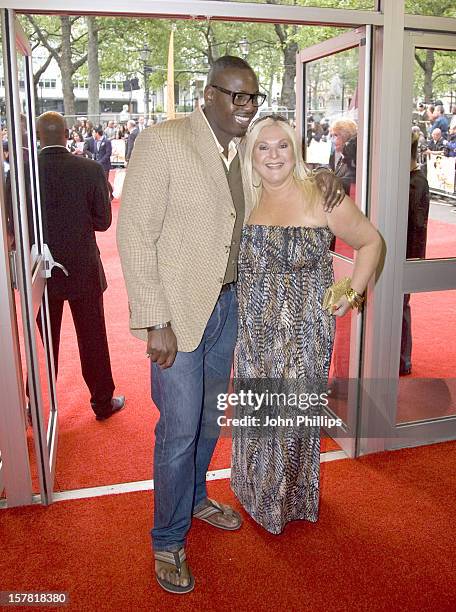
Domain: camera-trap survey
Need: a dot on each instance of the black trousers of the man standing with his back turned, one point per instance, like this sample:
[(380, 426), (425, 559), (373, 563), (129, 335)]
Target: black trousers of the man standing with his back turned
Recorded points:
[(89, 323)]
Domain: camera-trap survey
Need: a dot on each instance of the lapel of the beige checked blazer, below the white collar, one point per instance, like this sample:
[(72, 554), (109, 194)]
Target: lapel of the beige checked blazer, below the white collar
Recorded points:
[(210, 156)]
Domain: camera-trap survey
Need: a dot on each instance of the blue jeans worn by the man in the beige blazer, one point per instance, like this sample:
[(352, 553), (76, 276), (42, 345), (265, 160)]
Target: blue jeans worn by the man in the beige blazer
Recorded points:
[(187, 431)]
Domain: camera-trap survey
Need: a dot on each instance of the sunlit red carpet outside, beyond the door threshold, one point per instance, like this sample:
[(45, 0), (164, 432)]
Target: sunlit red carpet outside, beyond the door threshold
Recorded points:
[(120, 450)]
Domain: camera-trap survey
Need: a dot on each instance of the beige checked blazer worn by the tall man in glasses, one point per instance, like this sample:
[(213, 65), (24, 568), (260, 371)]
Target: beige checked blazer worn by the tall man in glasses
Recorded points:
[(174, 229)]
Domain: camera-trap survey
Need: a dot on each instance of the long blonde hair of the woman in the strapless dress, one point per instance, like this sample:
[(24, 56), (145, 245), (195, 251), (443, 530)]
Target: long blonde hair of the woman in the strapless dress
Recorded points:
[(302, 175)]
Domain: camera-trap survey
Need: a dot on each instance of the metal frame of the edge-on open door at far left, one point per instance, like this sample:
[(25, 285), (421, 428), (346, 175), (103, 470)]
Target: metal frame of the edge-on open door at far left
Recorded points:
[(30, 264)]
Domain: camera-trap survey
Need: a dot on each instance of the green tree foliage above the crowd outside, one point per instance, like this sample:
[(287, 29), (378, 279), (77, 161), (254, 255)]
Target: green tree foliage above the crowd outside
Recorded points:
[(198, 43)]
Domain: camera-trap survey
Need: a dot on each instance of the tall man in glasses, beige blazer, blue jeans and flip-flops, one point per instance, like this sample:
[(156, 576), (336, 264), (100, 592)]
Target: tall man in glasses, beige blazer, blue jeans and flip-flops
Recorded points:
[(179, 227)]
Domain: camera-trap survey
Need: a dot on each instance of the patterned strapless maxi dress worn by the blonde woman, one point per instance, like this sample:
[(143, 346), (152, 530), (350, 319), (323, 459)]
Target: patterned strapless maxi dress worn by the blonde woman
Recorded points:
[(283, 333)]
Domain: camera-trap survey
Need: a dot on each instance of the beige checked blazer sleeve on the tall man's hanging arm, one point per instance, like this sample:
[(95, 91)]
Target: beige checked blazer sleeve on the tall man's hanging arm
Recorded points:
[(144, 202)]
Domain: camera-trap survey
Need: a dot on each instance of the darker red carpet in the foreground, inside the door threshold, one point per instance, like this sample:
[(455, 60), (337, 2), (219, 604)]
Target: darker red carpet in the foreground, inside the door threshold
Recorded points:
[(383, 542)]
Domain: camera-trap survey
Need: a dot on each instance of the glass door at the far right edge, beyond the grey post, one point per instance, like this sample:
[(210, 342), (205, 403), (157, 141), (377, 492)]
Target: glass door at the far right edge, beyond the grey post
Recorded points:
[(425, 353)]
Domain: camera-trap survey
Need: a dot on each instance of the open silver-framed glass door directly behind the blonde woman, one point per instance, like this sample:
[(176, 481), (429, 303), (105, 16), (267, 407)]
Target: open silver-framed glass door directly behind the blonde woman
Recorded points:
[(332, 116)]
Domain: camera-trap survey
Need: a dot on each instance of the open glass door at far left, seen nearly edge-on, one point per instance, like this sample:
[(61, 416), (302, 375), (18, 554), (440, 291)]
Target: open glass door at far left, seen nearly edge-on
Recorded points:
[(27, 253)]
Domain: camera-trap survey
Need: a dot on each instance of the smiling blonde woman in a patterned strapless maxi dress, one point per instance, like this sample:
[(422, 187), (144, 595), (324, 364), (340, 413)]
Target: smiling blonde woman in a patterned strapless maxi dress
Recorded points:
[(284, 333)]
